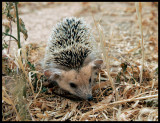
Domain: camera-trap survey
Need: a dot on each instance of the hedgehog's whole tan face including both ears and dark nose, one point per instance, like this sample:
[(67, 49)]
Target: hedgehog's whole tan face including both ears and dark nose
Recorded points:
[(79, 82)]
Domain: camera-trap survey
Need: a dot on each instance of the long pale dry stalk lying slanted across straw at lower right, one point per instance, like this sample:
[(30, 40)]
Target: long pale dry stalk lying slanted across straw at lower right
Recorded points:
[(102, 106)]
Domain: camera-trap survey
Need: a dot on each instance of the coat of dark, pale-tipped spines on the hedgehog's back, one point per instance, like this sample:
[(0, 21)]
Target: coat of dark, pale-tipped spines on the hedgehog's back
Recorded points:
[(69, 44)]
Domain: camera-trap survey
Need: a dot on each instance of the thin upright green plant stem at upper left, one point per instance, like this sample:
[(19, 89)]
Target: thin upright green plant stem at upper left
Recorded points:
[(18, 29)]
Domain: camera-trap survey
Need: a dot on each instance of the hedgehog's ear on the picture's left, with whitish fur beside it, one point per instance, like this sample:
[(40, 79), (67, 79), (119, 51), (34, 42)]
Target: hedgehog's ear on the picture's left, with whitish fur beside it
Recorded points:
[(53, 74)]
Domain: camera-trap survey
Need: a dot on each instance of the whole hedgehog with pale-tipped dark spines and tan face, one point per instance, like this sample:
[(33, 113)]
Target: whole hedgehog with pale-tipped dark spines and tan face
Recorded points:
[(72, 58)]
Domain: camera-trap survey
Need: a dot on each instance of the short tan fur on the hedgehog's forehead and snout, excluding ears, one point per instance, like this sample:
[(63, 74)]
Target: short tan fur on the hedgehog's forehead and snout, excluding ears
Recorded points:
[(81, 79)]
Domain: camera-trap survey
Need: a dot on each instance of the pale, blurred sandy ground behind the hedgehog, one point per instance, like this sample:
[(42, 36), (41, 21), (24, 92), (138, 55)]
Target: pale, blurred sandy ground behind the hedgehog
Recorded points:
[(118, 20)]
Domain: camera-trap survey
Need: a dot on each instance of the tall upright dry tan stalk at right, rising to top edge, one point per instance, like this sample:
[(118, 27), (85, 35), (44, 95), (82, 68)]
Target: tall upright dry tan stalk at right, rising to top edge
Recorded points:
[(138, 6)]
